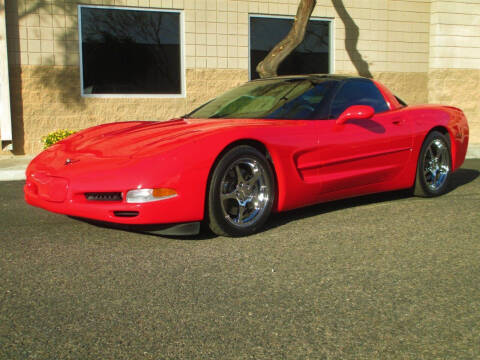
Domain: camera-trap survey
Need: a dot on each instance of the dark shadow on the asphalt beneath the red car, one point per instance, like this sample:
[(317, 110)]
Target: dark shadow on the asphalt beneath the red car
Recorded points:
[(460, 178)]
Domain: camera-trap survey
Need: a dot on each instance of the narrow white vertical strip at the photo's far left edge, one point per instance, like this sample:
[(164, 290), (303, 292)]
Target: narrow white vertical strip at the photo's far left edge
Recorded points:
[(5, 109)]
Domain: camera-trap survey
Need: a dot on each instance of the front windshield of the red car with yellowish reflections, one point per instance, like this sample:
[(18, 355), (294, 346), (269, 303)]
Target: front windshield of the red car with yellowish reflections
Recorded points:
[(271, 99)]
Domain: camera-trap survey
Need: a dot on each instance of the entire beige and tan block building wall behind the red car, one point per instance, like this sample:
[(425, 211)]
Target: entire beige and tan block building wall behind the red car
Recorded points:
[(426, 51)]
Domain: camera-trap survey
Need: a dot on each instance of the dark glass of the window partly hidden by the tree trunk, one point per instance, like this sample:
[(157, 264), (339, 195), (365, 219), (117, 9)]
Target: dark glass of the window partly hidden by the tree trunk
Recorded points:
[(310, 57)]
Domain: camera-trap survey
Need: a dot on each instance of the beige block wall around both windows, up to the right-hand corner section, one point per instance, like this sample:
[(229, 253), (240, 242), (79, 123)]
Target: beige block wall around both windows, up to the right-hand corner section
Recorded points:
[(393, 45)]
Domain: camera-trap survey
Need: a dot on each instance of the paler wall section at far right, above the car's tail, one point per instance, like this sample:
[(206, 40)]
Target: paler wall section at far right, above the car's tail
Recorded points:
[(454, 74)]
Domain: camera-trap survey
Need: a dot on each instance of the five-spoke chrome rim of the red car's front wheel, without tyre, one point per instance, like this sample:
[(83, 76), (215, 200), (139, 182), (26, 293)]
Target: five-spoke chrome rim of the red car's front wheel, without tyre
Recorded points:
[(244, 192)]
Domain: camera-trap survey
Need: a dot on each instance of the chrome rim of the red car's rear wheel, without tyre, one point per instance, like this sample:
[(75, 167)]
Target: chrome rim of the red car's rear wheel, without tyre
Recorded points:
[(436, 164)]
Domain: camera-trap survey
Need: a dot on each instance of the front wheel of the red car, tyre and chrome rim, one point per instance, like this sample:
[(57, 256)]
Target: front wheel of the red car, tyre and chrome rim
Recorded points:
[(241, 192)]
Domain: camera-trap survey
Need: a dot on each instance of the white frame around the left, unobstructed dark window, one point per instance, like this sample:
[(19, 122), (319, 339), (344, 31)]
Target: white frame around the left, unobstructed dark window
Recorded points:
[(143, 96)]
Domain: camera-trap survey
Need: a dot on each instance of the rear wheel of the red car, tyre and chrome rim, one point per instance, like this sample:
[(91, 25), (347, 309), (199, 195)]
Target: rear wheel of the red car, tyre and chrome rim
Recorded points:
[(434, 166)]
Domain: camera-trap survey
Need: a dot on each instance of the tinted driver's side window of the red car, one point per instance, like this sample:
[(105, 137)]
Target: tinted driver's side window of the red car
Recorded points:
[(357, 92)]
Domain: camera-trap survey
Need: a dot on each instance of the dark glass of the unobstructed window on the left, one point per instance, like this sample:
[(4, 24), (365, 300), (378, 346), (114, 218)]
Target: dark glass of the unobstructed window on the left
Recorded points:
[(130, 51)]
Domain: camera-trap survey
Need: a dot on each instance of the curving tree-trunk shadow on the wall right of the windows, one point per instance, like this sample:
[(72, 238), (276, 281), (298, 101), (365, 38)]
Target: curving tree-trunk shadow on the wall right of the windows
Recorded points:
[(352, 33)]
